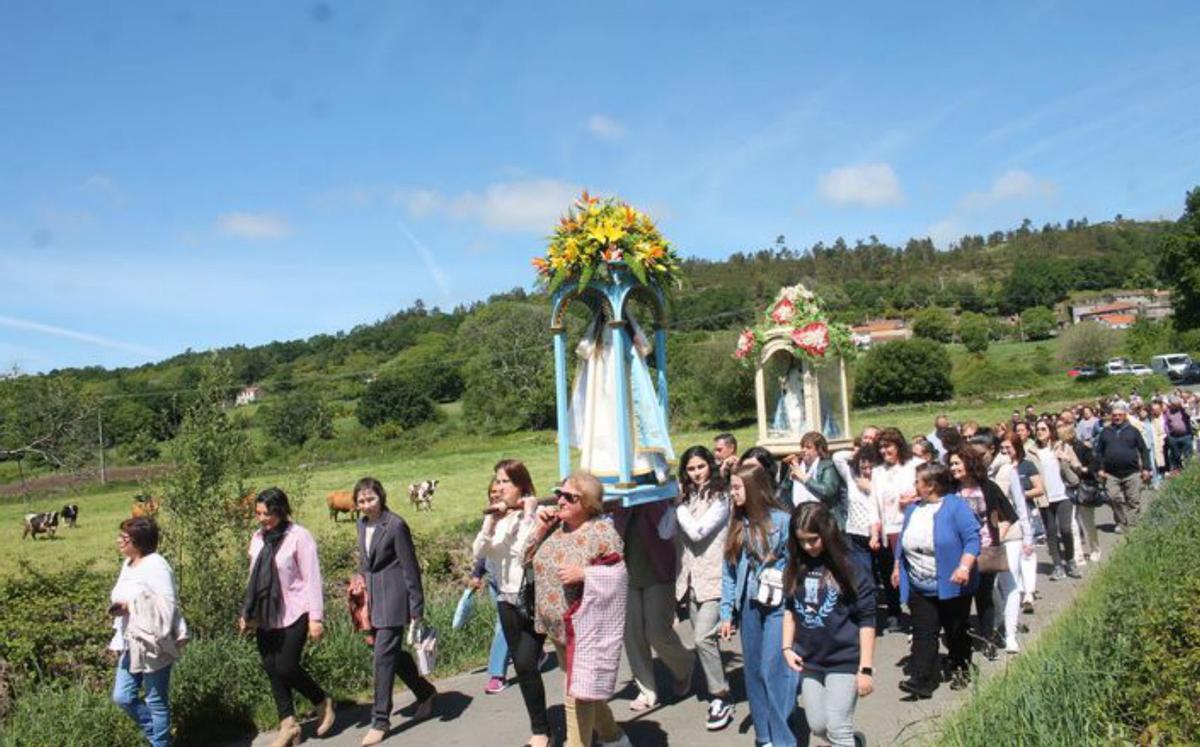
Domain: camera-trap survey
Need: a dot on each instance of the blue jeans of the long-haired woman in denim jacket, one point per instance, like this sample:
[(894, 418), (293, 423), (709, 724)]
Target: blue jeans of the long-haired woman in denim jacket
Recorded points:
[(771, 684)]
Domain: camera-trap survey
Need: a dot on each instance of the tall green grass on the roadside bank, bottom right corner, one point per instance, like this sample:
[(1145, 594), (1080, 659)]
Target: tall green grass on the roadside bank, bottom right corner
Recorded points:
[(1124, 665)]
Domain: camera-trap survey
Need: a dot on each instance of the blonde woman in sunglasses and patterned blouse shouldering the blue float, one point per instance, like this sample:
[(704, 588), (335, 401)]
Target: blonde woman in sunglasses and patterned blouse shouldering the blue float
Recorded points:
[(569, 539)]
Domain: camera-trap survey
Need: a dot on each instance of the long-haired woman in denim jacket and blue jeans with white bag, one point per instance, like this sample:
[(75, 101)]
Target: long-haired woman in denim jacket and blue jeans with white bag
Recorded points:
[(752, 591)]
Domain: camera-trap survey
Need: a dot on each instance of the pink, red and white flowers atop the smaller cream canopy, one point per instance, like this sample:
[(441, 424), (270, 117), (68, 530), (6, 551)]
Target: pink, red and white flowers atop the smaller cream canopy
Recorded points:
[(799, 313)]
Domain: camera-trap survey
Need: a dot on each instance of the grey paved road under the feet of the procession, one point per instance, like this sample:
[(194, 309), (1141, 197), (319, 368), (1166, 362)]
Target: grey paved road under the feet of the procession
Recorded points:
[(471, 719)]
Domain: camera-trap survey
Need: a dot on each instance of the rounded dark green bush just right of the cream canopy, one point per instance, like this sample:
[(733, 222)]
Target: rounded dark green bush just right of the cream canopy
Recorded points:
[(904, 372)]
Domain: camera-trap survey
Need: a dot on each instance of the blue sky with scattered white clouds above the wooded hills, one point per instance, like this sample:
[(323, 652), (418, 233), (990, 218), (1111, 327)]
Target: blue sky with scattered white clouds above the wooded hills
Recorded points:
[(194, 176)]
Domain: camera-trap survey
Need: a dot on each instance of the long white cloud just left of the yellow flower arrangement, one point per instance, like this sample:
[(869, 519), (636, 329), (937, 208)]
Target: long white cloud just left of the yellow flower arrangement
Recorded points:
[(530, 206)]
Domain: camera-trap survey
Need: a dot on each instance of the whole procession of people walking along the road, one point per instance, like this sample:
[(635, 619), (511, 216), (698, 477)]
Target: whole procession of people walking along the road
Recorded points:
[(807, 559)]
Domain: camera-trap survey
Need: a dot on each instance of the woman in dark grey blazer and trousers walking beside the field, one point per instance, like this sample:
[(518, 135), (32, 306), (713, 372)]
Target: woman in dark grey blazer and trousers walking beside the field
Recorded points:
[(394, 600)]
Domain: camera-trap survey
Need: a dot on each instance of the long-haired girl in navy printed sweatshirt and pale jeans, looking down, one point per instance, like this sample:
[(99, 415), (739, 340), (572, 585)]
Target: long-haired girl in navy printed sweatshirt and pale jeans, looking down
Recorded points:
[(830, 628)]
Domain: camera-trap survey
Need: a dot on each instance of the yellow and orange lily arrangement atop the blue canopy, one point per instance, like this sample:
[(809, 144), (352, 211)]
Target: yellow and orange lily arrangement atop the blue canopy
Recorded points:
[(598, 235)]
